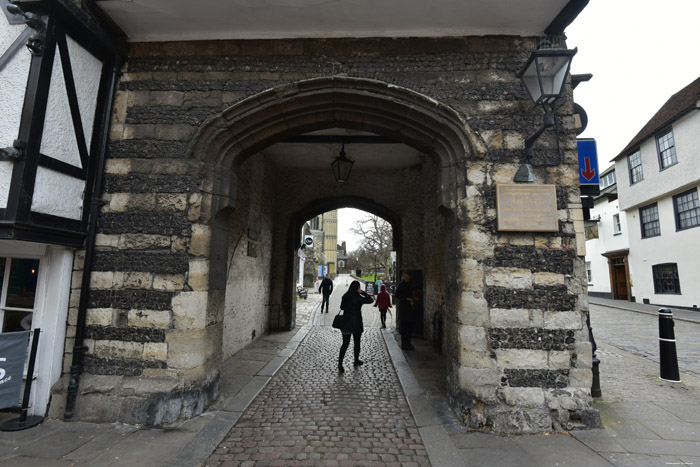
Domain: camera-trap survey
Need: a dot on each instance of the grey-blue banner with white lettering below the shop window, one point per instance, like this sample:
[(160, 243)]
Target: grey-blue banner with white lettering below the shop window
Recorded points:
[(13, 353)]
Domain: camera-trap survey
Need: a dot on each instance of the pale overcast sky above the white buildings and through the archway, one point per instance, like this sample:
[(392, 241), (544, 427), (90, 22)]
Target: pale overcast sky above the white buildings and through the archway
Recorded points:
[(640, 52)]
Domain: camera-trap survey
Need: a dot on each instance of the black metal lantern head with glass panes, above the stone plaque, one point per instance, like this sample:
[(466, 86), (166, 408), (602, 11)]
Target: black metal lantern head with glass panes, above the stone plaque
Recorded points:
[(544, 73)]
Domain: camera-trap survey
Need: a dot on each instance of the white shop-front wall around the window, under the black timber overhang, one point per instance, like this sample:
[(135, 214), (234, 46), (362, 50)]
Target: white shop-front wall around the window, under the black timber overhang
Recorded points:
[(50, 315)]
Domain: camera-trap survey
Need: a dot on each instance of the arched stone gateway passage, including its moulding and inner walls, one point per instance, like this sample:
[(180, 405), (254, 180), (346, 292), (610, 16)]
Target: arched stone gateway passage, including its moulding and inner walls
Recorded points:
[(240, 150)]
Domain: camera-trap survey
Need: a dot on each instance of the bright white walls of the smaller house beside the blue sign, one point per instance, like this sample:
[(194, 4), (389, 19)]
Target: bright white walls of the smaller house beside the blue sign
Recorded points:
[(606, 241)]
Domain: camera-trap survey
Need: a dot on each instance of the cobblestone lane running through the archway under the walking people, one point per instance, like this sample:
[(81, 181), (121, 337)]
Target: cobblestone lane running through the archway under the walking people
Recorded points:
[(309, 414)]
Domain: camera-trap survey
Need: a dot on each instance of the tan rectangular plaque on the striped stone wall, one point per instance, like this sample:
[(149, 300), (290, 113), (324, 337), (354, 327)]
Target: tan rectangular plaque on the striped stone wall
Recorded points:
[(527, 208)]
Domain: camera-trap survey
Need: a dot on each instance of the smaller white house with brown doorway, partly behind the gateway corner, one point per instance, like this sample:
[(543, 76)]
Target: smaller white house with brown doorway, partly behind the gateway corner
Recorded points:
[(607, 245)]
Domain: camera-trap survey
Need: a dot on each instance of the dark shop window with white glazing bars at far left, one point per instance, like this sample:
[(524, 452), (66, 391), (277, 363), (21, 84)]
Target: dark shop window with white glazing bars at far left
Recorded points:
[(18, 280)]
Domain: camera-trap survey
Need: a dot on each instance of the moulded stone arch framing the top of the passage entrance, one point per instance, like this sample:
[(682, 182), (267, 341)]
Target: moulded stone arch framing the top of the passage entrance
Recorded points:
[(226, 140)]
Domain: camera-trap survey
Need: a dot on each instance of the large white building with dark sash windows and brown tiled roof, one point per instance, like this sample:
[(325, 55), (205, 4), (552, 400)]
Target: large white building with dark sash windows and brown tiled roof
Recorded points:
[(658, 175)]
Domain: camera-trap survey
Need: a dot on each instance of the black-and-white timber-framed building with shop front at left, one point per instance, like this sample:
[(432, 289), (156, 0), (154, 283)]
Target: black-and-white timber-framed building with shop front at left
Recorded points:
[(55, 80)]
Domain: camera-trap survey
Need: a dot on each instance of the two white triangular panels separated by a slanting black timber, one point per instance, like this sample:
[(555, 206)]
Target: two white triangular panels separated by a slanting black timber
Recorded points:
[(59, 140)]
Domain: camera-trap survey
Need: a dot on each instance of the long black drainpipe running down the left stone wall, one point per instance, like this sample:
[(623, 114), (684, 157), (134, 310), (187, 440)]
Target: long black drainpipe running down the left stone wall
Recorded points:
[(79, 348)]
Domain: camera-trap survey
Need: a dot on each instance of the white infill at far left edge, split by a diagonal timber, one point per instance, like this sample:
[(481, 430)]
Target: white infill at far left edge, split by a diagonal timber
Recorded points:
[(13, 82)]
